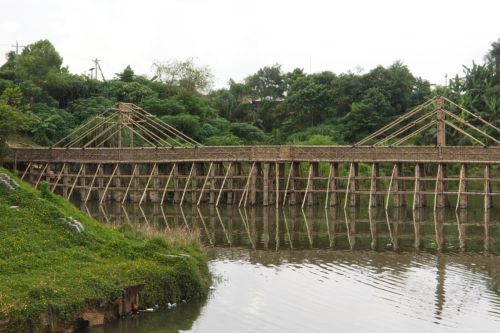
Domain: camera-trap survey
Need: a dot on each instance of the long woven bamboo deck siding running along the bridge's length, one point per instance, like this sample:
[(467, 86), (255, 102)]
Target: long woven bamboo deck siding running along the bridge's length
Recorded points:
[(345, 154)]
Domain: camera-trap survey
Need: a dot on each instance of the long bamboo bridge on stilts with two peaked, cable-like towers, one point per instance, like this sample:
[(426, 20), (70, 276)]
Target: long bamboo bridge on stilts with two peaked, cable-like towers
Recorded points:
[(127, 154)]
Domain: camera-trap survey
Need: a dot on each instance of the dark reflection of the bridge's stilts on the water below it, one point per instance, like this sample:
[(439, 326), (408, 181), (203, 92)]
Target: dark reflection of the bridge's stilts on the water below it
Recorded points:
[(292, 228)]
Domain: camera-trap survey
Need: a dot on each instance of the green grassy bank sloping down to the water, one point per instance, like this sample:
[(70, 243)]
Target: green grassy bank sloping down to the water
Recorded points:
[(44, 264)]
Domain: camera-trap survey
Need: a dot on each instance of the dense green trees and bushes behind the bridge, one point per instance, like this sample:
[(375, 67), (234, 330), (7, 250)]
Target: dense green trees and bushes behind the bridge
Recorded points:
[(41, 99)]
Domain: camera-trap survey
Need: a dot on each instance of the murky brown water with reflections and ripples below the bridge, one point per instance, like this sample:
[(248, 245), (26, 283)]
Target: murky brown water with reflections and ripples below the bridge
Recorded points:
[(289, 270)]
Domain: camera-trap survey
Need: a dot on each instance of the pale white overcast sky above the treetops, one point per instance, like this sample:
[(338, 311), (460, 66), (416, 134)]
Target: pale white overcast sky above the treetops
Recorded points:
[(236, 38)]
